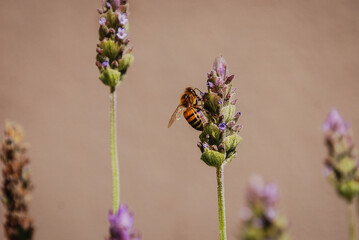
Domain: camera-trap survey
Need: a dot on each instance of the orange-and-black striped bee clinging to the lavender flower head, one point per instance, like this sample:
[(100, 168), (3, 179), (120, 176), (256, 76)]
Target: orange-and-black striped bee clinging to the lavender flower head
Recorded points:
[(192, 110)]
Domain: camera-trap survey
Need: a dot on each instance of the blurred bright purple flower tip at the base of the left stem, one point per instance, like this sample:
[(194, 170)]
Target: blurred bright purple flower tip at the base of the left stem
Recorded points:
[(121, 225)]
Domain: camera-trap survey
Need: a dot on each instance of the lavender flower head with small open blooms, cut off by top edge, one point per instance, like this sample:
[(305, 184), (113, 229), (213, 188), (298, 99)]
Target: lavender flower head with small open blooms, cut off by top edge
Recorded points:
[(114, 54)]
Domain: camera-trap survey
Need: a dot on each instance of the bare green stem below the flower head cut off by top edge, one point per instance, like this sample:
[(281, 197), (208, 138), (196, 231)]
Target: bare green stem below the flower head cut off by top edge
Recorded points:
[(114, 156)]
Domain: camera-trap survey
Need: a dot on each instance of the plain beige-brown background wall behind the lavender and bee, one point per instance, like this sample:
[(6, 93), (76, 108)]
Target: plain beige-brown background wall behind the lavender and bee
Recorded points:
[(293, 61)]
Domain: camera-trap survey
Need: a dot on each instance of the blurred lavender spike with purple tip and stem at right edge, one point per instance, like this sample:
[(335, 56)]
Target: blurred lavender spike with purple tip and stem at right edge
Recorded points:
[(341, 164)]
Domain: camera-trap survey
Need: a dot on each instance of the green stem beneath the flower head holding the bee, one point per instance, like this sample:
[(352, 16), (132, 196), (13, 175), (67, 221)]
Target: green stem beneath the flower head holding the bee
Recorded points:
[(221, 203)]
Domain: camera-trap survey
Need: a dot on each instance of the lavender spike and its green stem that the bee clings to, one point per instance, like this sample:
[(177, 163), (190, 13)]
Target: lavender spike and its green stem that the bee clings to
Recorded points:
[(219, 138)]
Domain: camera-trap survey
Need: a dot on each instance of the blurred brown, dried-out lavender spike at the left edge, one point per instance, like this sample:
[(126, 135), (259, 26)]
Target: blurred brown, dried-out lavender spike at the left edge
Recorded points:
[(16, 185)]
